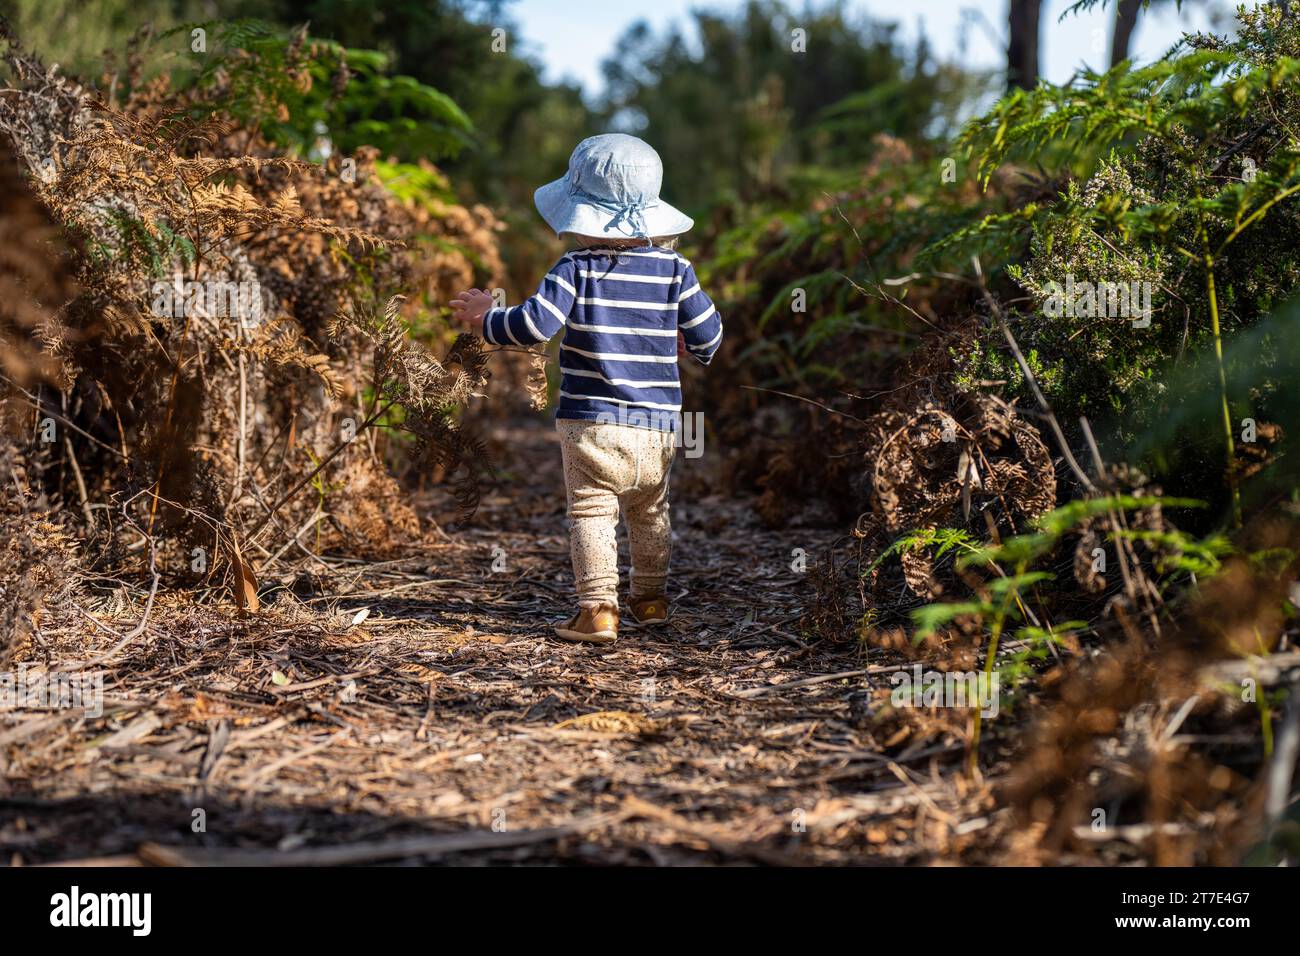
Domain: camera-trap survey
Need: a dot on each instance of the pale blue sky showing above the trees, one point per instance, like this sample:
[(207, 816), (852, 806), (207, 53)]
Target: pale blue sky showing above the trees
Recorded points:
[(571, 38)]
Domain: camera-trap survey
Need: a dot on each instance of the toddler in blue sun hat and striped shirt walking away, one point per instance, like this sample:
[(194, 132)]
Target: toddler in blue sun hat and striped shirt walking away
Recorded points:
[(630, 308)]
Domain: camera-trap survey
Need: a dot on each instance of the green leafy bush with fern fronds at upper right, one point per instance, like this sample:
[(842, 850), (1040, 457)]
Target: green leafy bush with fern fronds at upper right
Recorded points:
[(1191, 168)]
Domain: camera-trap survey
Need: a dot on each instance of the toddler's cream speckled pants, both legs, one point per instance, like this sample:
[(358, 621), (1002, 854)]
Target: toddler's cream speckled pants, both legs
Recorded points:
[(608, 466)]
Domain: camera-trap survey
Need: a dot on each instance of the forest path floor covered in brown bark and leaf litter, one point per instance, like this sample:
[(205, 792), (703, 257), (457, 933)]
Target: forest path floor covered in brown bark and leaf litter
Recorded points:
[(448, 725)]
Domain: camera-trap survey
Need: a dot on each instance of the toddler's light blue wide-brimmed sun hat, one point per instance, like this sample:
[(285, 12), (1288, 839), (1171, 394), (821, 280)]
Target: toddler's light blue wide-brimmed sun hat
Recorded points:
[(612, 189)]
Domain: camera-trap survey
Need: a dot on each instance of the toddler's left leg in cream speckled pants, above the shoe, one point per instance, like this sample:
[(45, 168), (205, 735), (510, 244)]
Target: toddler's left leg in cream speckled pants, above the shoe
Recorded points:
[(593, 511)]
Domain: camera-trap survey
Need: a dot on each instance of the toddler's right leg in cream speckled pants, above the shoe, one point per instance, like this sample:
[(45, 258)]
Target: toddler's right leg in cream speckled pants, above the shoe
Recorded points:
[(645, 507)]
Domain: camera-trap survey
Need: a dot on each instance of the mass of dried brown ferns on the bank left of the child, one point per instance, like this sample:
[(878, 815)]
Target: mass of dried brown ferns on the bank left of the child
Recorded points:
[(183, 397)]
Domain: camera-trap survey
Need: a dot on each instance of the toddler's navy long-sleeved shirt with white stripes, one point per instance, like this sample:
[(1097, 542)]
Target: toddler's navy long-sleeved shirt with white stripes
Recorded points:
[(621, 312)]
